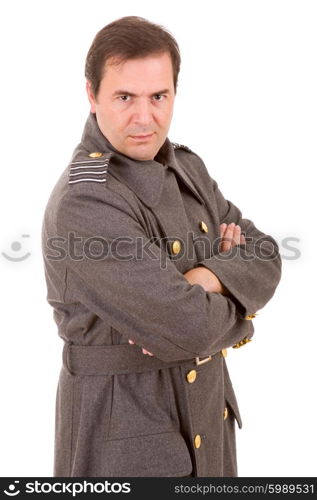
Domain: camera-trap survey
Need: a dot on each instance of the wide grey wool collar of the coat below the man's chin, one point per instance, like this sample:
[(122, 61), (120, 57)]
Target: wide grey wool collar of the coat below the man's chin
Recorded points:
[(145, 178)]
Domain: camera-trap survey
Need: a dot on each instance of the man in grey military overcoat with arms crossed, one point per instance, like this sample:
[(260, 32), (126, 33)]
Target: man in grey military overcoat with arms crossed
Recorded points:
[(152, 275)]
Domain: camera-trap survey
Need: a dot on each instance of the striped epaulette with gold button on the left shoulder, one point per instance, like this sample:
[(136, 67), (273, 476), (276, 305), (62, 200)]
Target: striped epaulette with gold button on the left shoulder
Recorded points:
[(88, 167)]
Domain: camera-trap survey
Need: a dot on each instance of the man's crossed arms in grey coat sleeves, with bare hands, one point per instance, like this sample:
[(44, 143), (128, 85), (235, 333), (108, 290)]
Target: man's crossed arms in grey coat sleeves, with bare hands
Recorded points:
[(173, 315)]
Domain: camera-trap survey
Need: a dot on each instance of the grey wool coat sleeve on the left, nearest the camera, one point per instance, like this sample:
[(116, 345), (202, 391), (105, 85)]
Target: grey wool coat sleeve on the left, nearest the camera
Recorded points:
[(117, 272)]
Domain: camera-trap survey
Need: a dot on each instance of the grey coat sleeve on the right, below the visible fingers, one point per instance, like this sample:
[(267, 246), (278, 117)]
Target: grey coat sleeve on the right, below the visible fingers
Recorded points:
[(250, 271)]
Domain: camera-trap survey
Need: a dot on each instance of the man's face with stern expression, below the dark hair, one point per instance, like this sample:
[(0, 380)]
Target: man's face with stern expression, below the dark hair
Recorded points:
[(135, 99)]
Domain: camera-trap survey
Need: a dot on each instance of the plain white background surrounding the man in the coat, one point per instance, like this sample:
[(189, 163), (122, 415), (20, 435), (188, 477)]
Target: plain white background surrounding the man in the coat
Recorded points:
[(247, 104)]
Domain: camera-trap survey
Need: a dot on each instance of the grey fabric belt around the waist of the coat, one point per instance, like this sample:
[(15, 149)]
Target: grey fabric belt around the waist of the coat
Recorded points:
[(117, 359)]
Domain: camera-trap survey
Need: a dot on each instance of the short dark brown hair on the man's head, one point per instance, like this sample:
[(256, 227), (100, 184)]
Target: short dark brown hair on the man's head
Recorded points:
[(129, 38)]
